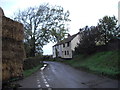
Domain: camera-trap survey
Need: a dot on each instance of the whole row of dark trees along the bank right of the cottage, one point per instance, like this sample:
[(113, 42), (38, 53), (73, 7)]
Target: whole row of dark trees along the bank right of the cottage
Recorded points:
[(94, 36)]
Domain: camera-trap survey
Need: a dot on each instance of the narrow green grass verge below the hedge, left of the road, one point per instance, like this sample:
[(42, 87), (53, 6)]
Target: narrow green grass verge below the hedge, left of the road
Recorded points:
[(29, 72)]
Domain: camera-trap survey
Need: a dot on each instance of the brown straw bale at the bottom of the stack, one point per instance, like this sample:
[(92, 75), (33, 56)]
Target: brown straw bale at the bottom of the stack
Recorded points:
[(12, 69)]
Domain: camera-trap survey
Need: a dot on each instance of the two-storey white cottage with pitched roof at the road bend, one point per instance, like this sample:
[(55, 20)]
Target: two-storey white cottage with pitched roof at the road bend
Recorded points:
[(65, 48)]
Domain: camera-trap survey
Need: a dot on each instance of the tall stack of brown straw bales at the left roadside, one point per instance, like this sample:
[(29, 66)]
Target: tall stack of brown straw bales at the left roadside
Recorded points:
[(12, 48)]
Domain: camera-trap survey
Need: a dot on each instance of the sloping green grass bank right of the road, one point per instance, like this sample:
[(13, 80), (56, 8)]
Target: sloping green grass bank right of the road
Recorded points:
[(103, 63)]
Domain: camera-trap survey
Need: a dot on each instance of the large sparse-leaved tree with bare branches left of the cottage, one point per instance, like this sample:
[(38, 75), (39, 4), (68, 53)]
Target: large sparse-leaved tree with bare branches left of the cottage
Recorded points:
[(43, 24)]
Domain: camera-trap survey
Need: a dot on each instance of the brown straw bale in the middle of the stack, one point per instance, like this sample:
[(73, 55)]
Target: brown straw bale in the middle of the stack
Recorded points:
[(12, 49)]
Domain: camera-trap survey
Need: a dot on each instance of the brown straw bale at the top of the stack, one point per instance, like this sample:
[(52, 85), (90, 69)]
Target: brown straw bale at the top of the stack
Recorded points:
[(12, 29)]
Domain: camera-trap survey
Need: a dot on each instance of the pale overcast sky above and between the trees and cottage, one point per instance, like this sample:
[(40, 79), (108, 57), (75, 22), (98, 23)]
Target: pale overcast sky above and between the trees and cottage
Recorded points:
[(82, 12)]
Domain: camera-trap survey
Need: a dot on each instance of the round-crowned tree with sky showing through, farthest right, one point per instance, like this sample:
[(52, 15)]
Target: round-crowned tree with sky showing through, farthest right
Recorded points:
[(108, 28)]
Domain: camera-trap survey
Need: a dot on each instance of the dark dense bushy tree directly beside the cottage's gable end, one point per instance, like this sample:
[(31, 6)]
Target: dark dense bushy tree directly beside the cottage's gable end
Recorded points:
[(87, 40)]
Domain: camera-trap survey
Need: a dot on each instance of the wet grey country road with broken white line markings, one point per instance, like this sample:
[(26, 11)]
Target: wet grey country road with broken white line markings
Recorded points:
[(58, 75)]
